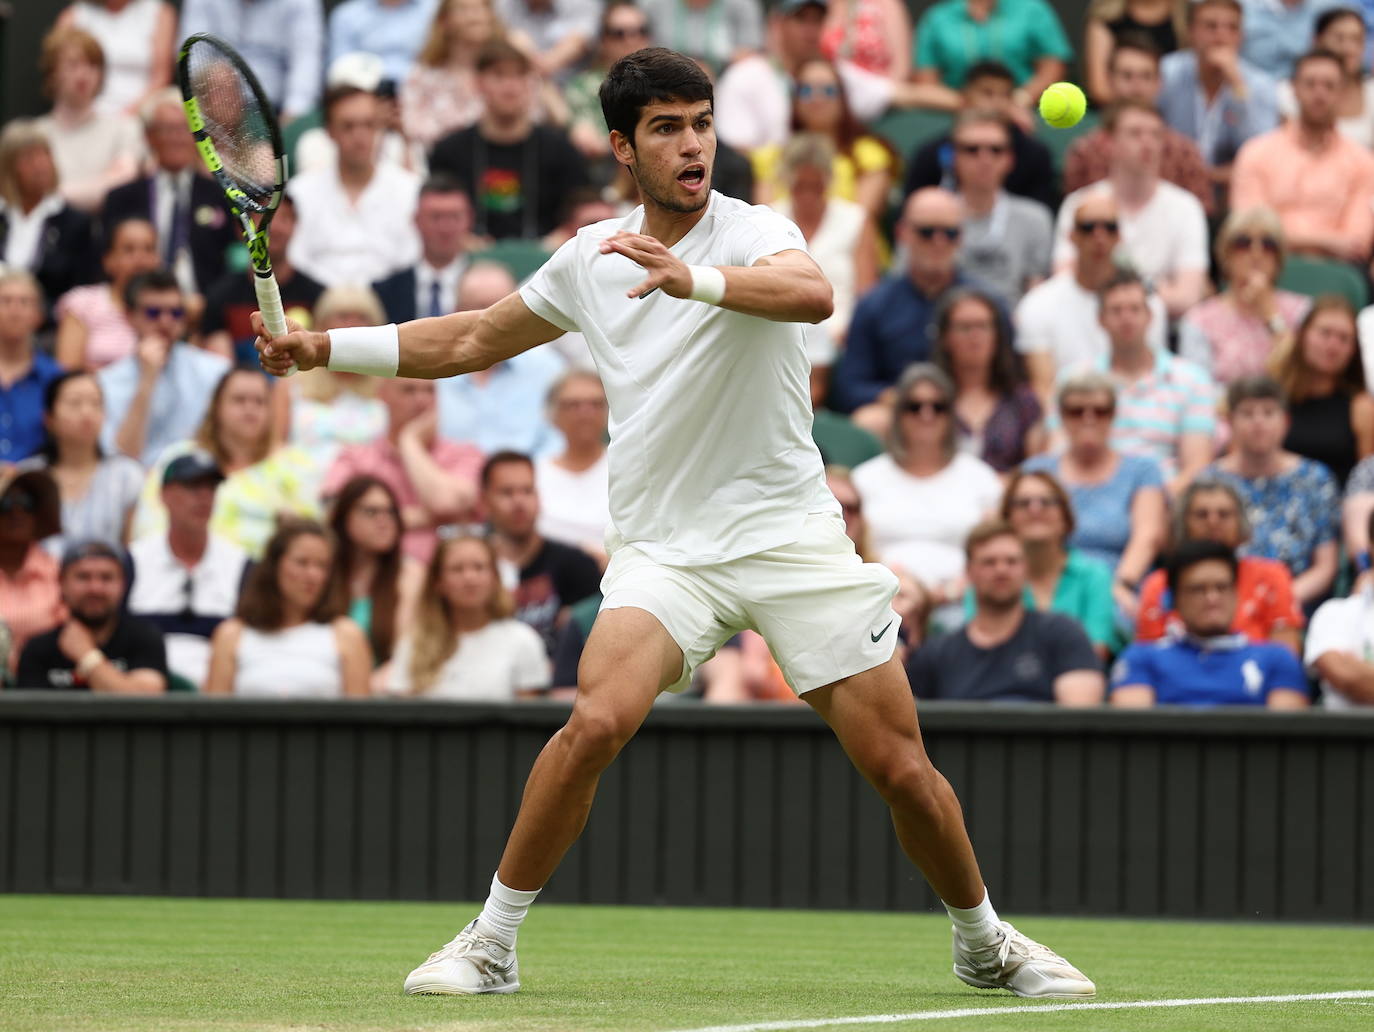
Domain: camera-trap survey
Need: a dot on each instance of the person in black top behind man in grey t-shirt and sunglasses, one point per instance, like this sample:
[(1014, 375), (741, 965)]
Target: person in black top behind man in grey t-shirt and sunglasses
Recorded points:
[(989, 87)]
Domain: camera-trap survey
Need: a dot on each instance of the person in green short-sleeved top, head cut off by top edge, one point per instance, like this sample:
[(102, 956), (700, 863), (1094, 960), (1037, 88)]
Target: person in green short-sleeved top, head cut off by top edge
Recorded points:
[(1024, 35)]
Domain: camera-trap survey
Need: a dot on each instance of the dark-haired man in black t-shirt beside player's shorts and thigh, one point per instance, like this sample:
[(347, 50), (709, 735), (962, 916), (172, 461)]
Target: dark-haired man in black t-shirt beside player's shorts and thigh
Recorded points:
[(546, 578)]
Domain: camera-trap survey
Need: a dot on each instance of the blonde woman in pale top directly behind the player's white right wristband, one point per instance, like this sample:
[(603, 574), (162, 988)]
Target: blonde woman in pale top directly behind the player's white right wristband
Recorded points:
[(325, 412)]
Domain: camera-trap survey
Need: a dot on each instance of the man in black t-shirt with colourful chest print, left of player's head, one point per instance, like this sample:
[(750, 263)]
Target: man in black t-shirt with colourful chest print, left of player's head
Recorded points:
[(517, 172)]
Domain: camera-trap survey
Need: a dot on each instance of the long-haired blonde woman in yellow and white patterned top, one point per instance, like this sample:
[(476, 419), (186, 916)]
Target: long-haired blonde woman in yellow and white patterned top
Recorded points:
[(264, 479)]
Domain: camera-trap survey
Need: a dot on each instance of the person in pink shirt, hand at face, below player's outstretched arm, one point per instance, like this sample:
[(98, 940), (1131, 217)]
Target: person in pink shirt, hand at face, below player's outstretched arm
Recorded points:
[(433, 479)]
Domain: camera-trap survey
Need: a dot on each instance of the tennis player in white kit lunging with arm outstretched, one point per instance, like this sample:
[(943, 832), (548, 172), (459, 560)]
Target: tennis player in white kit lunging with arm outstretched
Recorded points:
[(692, 306)]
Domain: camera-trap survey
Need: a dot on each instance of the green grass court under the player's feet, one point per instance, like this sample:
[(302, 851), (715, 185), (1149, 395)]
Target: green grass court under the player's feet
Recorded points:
[(82, 964)]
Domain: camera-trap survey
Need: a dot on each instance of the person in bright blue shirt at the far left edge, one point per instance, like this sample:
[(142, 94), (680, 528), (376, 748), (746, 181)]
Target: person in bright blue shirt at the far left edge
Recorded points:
[(25, 373)]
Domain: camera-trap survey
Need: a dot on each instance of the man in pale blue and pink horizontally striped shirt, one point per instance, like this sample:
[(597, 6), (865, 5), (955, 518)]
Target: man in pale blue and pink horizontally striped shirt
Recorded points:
[(1166, 406)]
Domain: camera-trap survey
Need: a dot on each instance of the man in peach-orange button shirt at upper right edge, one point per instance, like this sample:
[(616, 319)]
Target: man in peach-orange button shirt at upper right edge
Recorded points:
[(1320, 182)]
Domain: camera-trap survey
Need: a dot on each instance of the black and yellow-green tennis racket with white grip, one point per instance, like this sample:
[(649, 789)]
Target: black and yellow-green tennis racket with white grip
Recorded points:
[(241, 145)]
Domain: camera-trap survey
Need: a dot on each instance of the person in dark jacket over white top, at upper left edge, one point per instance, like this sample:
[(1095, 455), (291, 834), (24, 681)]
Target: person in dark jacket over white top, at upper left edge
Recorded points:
[(39, 232)]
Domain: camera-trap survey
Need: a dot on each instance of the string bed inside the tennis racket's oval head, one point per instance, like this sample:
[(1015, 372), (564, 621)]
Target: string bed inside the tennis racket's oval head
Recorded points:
[(236, 123)]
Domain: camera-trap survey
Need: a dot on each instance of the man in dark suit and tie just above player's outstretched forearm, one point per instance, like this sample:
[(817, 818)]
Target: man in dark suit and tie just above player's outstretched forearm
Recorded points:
[(444, 221)]
